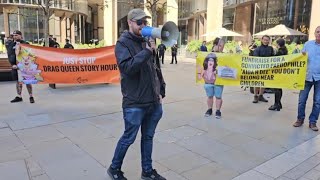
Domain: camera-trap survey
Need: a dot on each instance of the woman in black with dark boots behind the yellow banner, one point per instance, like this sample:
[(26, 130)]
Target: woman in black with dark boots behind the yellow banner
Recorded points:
[(282, 50)]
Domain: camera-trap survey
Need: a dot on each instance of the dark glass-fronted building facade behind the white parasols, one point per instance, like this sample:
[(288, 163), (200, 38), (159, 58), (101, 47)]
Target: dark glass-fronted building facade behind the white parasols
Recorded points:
[(252, 16)]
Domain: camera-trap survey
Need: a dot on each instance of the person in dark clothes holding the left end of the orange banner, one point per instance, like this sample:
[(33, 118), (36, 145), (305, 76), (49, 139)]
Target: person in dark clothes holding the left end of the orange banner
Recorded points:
[(13, 52)]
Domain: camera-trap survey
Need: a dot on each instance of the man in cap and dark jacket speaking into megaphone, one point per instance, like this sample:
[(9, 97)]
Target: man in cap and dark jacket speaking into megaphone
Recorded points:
[(143, 88)]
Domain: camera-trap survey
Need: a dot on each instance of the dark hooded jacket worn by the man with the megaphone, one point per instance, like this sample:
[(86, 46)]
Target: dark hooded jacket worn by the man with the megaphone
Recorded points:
[(141, 80)]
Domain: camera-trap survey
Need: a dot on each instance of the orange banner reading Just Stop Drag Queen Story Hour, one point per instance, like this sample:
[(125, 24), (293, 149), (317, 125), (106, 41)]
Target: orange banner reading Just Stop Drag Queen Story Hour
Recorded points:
[(67, 66)]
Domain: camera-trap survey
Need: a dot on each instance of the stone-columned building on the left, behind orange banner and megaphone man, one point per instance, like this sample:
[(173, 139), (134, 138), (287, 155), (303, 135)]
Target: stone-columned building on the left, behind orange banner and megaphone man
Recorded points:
[(78, 20)]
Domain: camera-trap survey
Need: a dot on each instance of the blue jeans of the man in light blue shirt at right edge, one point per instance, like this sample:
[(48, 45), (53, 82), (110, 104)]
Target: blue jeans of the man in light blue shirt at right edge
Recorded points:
[(303, 96)]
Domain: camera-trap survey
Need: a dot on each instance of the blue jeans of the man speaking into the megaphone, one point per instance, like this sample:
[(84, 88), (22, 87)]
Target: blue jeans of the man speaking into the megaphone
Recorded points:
[(147, 118)]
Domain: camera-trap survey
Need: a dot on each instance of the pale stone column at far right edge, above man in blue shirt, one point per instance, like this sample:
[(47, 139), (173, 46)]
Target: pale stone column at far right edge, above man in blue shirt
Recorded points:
[(314, 20)]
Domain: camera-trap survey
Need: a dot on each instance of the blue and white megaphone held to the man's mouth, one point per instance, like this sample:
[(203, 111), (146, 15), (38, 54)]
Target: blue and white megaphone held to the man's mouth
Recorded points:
[(168, 33)]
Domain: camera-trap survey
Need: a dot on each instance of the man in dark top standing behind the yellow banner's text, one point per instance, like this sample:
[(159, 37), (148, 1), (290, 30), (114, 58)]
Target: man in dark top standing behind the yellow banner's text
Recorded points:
[(262, 51)]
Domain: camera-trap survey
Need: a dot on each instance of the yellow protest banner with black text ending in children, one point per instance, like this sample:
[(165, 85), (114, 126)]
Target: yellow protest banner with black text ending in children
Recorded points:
[(273, 72)]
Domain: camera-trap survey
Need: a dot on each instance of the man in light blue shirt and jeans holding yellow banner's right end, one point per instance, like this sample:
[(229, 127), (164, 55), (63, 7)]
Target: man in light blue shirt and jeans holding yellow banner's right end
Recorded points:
[(312, 48)]
